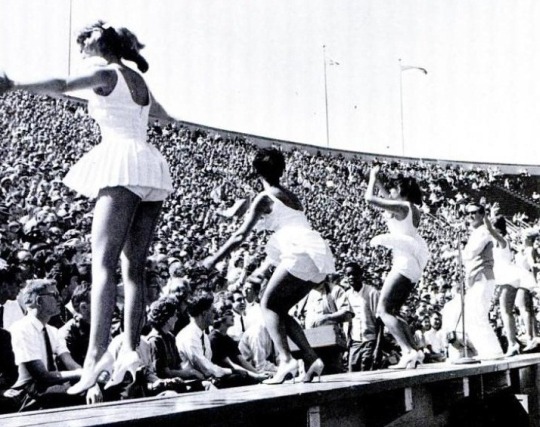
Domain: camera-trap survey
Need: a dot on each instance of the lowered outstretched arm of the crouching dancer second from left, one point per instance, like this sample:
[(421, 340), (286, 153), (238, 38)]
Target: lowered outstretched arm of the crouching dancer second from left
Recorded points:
[(260, 206)]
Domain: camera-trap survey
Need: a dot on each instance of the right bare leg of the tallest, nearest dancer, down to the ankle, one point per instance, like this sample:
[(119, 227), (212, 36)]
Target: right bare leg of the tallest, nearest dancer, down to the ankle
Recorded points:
[(133, 260)]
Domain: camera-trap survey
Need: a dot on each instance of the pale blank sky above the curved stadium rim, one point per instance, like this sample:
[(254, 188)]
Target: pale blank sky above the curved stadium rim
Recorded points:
[(258, 67)]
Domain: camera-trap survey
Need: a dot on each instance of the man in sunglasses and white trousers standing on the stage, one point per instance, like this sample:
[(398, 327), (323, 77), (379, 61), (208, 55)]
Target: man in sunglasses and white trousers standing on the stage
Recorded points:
[(480, 280)]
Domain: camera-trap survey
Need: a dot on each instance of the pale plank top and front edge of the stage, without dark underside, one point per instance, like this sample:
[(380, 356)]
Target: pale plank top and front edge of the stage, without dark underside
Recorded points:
[(204, 408)]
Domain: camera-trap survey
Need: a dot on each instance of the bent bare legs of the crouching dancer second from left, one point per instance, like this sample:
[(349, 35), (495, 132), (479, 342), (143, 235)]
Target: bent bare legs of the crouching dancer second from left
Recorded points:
[(282, 292)]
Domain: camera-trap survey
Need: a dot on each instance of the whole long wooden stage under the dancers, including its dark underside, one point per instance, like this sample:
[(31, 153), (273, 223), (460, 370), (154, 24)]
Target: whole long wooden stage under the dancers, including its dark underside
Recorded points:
[(432, 395)]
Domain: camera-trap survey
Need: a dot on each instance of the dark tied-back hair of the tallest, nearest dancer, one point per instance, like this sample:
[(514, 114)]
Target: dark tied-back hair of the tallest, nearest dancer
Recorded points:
[(117, 41)]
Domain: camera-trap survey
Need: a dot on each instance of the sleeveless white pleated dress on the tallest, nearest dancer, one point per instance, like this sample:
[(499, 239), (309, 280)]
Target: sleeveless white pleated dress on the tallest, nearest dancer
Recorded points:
[(123, 157)]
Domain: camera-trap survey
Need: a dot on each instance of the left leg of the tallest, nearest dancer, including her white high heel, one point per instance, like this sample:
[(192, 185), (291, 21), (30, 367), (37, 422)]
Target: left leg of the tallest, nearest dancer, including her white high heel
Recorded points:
[(113, 213)]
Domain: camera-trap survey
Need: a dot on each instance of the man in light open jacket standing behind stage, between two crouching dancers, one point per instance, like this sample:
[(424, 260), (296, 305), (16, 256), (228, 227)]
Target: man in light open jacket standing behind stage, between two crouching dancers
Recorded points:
[(362, 299)]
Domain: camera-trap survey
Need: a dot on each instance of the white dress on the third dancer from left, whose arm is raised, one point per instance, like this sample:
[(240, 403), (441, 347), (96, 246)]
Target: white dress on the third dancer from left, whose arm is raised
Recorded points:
[(410, 252)]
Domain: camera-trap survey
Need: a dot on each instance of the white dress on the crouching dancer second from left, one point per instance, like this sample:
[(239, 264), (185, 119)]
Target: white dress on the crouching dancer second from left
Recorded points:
[(295, 245)]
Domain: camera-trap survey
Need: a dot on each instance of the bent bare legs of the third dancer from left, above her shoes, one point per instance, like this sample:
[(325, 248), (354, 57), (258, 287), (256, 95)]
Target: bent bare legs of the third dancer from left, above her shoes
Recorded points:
[(394, 292)]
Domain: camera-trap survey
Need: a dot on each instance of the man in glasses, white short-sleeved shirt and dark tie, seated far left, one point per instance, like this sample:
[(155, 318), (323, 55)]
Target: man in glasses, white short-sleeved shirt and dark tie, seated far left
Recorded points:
[(38, 347)]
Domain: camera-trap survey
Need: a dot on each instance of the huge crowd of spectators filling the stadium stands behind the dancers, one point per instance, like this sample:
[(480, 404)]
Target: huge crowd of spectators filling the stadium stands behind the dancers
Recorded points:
[(44, 235)]
